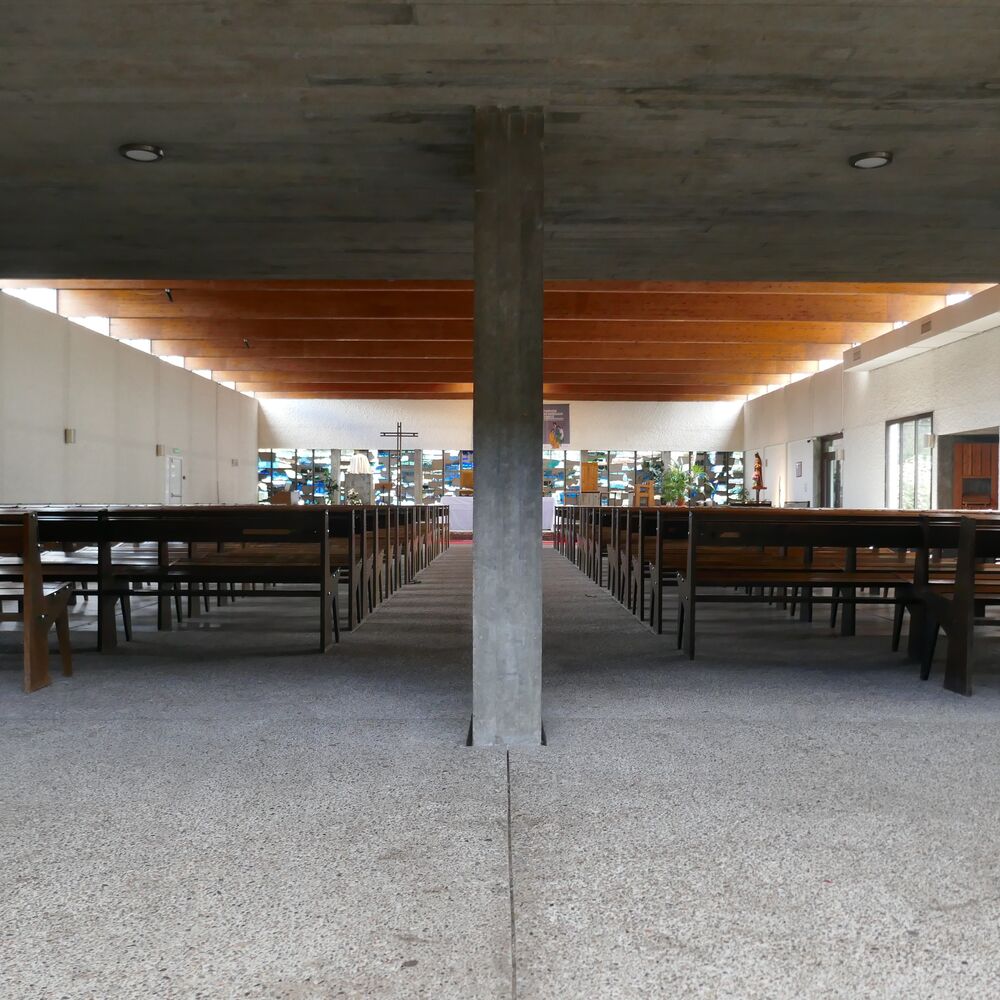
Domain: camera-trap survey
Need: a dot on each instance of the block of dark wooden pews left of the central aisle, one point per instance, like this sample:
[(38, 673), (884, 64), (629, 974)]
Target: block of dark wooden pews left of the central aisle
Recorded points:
[(285, 552)]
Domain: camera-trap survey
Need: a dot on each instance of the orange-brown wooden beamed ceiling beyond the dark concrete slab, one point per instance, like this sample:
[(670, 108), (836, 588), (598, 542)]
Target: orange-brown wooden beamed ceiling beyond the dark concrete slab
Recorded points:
[(413, 339)]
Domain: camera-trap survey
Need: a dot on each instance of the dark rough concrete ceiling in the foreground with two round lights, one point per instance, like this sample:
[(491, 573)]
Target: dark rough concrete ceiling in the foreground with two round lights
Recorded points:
[(322, 139)]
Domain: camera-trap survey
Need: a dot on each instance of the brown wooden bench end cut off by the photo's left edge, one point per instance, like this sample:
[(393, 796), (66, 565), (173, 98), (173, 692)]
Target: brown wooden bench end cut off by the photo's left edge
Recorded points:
[(39, 605)]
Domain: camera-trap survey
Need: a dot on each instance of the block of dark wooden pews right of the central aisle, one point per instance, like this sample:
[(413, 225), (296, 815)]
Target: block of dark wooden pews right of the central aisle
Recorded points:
[(800, 558)]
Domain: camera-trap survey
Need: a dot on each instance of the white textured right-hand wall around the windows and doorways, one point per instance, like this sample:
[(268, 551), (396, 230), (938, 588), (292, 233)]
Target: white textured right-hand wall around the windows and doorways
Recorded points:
[(958, 383)]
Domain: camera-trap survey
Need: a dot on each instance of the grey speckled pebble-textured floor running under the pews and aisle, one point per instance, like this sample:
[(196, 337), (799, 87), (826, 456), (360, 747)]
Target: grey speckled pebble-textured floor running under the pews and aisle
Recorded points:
[(221, 812)]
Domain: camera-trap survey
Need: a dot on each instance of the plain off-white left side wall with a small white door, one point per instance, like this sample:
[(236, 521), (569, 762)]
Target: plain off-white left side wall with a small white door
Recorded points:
[(56, 374)]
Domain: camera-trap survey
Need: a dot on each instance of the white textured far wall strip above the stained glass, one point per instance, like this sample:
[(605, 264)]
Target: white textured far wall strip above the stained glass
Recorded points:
[(329, 423)]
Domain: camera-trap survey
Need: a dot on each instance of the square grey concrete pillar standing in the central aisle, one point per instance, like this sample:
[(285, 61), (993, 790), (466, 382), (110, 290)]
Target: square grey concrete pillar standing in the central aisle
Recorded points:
[(507, 429)]
